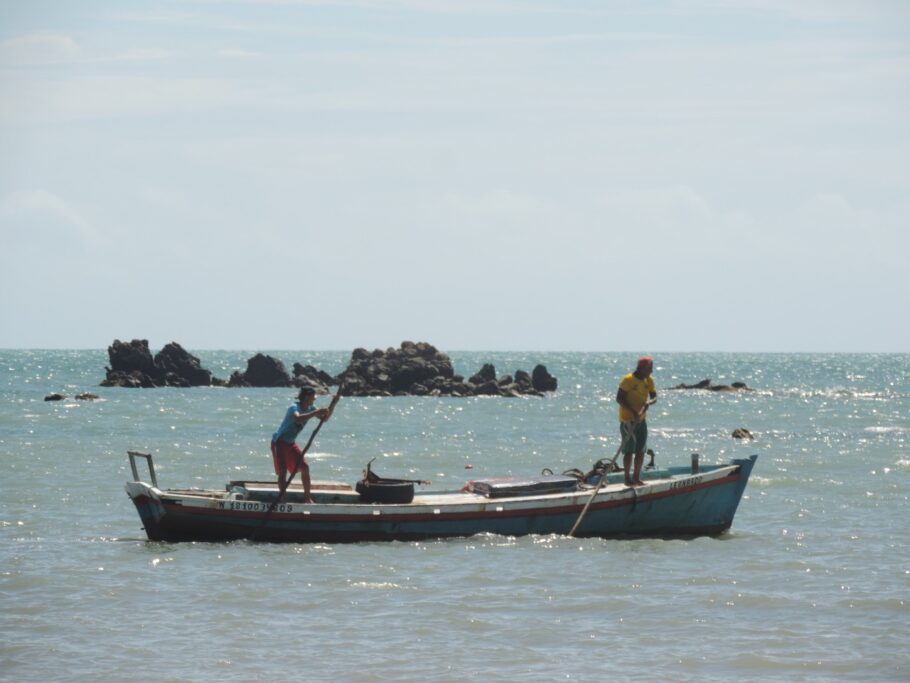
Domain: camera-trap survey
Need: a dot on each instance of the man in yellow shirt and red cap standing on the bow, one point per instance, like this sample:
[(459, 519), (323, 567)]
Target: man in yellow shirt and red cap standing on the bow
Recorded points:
[(636, 393)]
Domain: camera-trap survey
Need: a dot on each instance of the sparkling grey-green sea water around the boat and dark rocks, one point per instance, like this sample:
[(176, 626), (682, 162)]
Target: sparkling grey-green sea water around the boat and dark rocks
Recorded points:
[(812, 583)]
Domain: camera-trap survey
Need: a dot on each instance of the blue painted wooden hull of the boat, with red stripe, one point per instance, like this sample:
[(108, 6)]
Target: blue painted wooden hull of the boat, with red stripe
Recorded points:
[(681, 504)]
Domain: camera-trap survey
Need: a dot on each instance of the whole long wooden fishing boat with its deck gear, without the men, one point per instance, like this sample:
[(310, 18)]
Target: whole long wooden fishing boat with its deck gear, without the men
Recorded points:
[(674, 502)]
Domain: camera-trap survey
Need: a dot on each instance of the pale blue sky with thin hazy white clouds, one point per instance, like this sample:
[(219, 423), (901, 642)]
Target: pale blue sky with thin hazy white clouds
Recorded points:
[(490, 175)]
